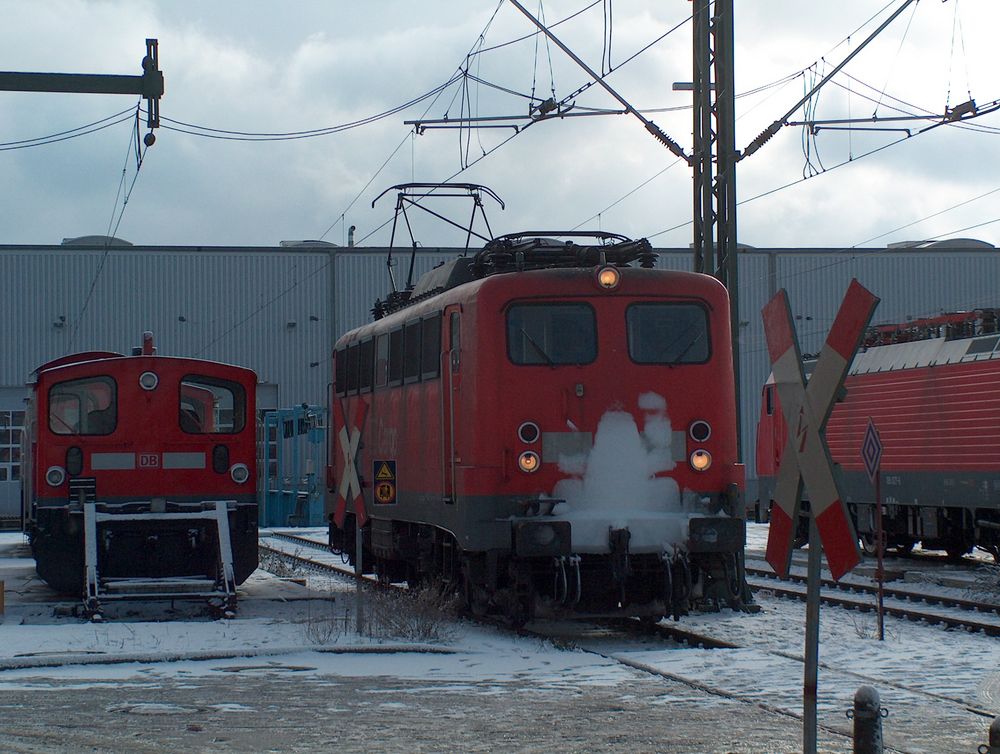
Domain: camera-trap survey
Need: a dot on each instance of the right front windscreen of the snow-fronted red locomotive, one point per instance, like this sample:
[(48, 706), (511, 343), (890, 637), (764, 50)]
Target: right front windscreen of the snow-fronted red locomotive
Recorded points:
[(667, 333)]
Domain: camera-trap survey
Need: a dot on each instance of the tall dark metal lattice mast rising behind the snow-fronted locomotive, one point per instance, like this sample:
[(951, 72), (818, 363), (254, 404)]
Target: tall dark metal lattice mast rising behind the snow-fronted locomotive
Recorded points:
[(714, 158)]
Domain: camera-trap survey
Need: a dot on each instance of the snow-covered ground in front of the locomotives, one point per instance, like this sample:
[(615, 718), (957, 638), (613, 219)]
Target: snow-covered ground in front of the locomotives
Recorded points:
[(929, 678)]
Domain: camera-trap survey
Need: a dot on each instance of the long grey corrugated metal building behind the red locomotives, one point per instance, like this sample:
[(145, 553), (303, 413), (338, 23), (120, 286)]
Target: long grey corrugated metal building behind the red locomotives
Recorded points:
[(278, 310)]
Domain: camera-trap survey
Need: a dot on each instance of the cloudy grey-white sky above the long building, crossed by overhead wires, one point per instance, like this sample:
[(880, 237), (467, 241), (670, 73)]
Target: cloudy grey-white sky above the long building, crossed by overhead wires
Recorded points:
[(281, 67)]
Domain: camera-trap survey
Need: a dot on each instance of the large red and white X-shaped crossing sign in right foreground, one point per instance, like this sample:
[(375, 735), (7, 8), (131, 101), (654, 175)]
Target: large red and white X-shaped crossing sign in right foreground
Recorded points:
[(806, 458)]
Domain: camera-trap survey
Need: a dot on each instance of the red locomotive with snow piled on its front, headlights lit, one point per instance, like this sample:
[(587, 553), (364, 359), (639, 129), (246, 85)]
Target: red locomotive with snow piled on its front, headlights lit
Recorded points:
[(548, 426)]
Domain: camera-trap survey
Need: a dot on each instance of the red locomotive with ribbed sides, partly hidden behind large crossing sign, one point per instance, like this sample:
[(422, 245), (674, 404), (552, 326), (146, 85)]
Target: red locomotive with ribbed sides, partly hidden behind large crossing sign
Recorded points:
[(929, 387)]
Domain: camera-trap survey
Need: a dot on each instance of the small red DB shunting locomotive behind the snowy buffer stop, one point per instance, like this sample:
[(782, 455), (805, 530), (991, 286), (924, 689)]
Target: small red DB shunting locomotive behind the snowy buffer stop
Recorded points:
[(139, 476)]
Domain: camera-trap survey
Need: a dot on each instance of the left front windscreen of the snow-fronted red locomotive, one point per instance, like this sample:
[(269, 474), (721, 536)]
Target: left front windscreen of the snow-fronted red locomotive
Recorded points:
[(551, 334)]
